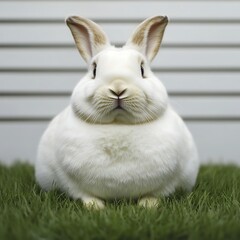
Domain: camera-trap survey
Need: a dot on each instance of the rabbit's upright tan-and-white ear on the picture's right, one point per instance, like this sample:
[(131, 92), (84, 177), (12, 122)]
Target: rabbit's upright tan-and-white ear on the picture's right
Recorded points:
[(148, 36)]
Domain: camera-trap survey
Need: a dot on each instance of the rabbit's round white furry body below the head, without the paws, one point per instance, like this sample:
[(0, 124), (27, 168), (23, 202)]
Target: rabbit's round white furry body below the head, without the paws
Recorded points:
[(115, 161)]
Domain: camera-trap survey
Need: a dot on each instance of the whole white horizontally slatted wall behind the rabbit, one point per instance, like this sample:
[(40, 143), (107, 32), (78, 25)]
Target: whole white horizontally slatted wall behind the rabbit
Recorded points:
[(199, 63)]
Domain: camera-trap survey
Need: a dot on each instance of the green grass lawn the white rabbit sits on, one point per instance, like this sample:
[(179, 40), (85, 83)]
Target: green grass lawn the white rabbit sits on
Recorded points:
[(211, 211)]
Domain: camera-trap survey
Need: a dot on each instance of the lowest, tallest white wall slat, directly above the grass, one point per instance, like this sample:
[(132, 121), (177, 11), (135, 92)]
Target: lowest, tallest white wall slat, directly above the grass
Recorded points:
[(24, 139)]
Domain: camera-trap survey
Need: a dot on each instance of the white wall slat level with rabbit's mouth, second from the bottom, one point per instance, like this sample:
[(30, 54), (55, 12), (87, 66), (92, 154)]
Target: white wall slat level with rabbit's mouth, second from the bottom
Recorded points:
[(197, 107)]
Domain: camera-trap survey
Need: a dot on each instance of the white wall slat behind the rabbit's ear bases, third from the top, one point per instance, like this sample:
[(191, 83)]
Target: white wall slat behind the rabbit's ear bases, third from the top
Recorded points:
[(70, 58)]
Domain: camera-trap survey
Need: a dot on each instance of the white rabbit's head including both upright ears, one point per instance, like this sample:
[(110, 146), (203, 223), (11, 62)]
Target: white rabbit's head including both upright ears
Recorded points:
[(119, 86)]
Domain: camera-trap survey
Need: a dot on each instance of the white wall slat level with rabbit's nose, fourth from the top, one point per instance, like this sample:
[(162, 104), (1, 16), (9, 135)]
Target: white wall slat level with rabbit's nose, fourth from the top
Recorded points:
[(54, 83)]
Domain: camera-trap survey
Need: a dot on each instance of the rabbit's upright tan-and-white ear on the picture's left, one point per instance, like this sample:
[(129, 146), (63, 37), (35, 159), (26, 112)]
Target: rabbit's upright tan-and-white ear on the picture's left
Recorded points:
[(89, 37)]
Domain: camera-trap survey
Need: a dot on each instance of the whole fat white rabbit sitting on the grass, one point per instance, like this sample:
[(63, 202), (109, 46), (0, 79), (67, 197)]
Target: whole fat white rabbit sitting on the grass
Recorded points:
[(119, 137)]
